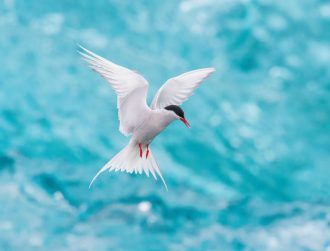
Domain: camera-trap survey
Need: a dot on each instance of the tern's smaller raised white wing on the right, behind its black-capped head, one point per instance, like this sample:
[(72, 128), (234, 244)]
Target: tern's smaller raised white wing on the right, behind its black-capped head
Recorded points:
[(178, 89)]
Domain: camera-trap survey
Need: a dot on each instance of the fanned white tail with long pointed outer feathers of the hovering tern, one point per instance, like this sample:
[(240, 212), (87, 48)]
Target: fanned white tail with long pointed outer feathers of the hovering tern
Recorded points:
[(129, 160)]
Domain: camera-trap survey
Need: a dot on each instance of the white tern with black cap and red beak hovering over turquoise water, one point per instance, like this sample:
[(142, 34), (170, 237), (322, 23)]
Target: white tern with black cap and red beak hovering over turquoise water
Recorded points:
[(138, 120)]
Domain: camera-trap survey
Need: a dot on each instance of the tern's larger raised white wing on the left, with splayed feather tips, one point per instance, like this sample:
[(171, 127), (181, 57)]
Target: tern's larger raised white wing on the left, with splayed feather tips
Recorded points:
[(131, 89)]
